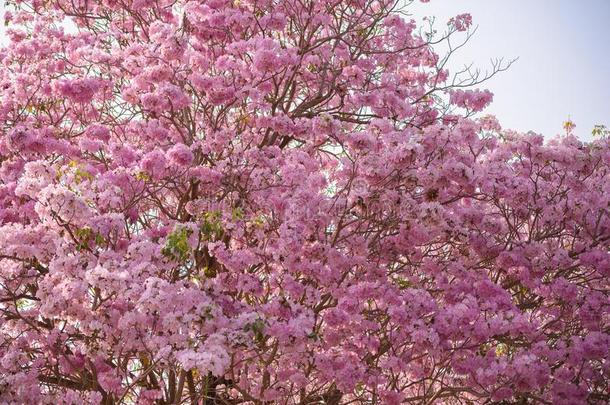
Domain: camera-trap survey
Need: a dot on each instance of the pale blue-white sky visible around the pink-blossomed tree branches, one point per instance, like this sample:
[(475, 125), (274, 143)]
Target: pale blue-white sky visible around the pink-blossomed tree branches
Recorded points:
[(563, 70)]
